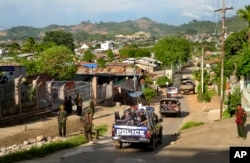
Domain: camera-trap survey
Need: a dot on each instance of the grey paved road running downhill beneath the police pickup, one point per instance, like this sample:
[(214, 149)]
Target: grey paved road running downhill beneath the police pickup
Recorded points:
[(103, 151)]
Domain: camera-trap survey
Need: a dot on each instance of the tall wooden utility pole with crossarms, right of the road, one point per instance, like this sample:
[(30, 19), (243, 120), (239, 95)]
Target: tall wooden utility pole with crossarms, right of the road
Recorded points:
[(223, 11)]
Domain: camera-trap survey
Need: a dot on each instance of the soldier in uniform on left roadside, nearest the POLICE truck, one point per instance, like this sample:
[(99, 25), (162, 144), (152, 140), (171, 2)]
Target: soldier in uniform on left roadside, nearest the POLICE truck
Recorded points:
[(87, 127)]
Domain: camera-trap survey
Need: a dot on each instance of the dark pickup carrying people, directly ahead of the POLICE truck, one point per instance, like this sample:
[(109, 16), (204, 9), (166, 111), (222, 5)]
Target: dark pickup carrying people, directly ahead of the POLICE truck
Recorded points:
[(170, 106)]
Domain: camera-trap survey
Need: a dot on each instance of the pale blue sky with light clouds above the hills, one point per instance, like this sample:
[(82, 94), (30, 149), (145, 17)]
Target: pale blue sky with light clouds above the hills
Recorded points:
[(41, 13)]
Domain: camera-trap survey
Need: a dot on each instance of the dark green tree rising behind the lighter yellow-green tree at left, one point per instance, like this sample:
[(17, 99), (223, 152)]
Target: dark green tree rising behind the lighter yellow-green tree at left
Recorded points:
[(60, 38)]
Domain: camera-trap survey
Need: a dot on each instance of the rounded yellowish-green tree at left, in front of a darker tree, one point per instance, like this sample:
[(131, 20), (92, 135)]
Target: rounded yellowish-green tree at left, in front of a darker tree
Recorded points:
[(57, 62)]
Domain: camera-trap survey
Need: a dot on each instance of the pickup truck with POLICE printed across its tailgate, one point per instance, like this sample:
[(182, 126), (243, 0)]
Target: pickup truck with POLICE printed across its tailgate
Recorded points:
[(150, 133)]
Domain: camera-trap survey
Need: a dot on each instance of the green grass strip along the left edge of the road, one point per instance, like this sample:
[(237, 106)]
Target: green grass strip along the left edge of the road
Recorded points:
[(38, 152)]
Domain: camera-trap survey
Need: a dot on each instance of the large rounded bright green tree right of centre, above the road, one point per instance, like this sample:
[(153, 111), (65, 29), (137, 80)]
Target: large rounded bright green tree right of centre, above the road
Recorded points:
[(172, 50)]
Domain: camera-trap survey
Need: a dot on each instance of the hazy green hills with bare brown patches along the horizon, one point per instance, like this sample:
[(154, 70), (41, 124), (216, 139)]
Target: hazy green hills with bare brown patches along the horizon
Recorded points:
[(107, 30)]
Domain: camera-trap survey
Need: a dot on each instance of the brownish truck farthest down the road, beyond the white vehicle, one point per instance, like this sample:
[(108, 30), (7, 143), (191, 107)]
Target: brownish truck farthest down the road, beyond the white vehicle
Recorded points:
[(187, 86)]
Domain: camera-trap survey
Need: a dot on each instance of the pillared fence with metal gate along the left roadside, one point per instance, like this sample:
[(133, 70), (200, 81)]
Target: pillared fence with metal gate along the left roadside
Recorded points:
[(16, 96)]
